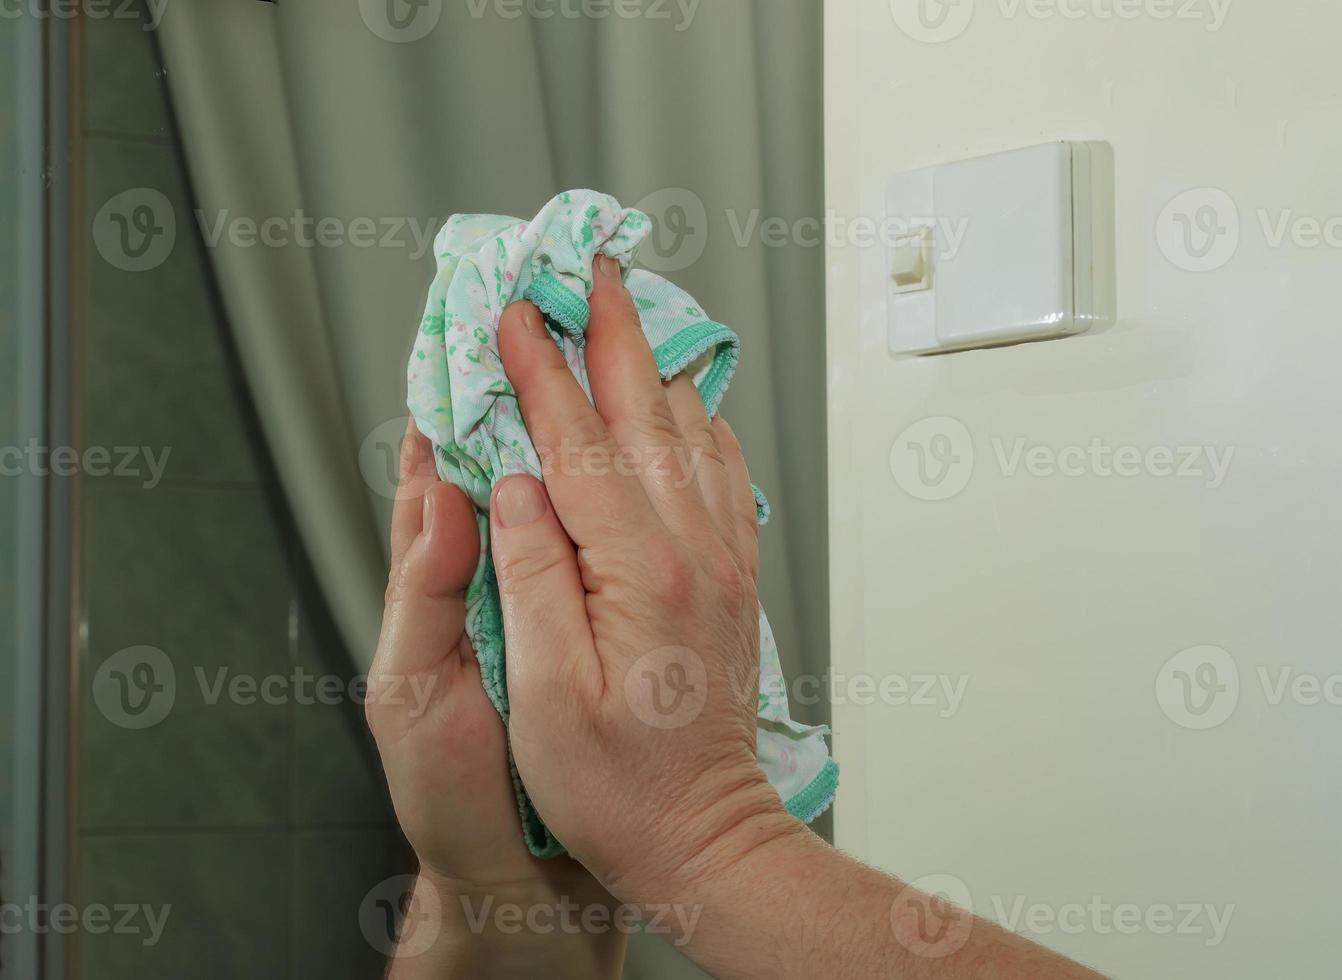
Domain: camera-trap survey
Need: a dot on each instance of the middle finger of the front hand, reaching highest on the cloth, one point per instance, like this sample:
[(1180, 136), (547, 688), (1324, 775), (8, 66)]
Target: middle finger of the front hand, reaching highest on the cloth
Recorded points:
[(633, 402)]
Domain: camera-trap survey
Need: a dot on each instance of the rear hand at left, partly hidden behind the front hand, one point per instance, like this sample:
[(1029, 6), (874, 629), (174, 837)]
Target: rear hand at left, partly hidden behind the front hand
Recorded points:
[(445, 747)]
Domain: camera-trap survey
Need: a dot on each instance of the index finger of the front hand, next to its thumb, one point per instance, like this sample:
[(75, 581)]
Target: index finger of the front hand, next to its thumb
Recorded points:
[(591, 493)]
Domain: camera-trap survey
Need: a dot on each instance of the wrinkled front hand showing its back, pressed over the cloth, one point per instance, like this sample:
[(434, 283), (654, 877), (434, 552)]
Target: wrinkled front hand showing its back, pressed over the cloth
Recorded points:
[(630, 610)]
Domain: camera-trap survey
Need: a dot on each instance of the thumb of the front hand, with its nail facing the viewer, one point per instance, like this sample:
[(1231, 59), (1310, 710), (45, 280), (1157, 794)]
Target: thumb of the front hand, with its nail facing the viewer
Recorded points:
[(546, 622)]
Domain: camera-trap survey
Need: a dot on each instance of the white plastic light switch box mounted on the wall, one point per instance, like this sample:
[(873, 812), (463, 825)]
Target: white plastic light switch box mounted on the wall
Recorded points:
[(1019, 246)]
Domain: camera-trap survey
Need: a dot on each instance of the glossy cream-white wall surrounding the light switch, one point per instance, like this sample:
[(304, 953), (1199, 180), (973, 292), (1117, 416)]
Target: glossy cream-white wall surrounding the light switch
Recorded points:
[(1061, 778)]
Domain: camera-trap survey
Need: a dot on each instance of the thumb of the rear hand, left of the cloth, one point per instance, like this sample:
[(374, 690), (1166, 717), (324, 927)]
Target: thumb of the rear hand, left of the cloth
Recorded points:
[(426, 601)]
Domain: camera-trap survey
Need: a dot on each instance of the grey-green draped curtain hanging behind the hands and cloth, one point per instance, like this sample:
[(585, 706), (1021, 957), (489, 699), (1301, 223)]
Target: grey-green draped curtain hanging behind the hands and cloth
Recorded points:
[(384, 117)]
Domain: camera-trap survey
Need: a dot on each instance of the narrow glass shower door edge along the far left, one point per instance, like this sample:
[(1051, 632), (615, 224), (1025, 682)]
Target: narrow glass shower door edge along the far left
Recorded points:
[(32, 818)]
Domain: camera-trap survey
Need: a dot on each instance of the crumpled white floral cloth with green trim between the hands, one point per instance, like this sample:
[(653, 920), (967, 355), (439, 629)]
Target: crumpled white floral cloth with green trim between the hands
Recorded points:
[(461, 399)]
